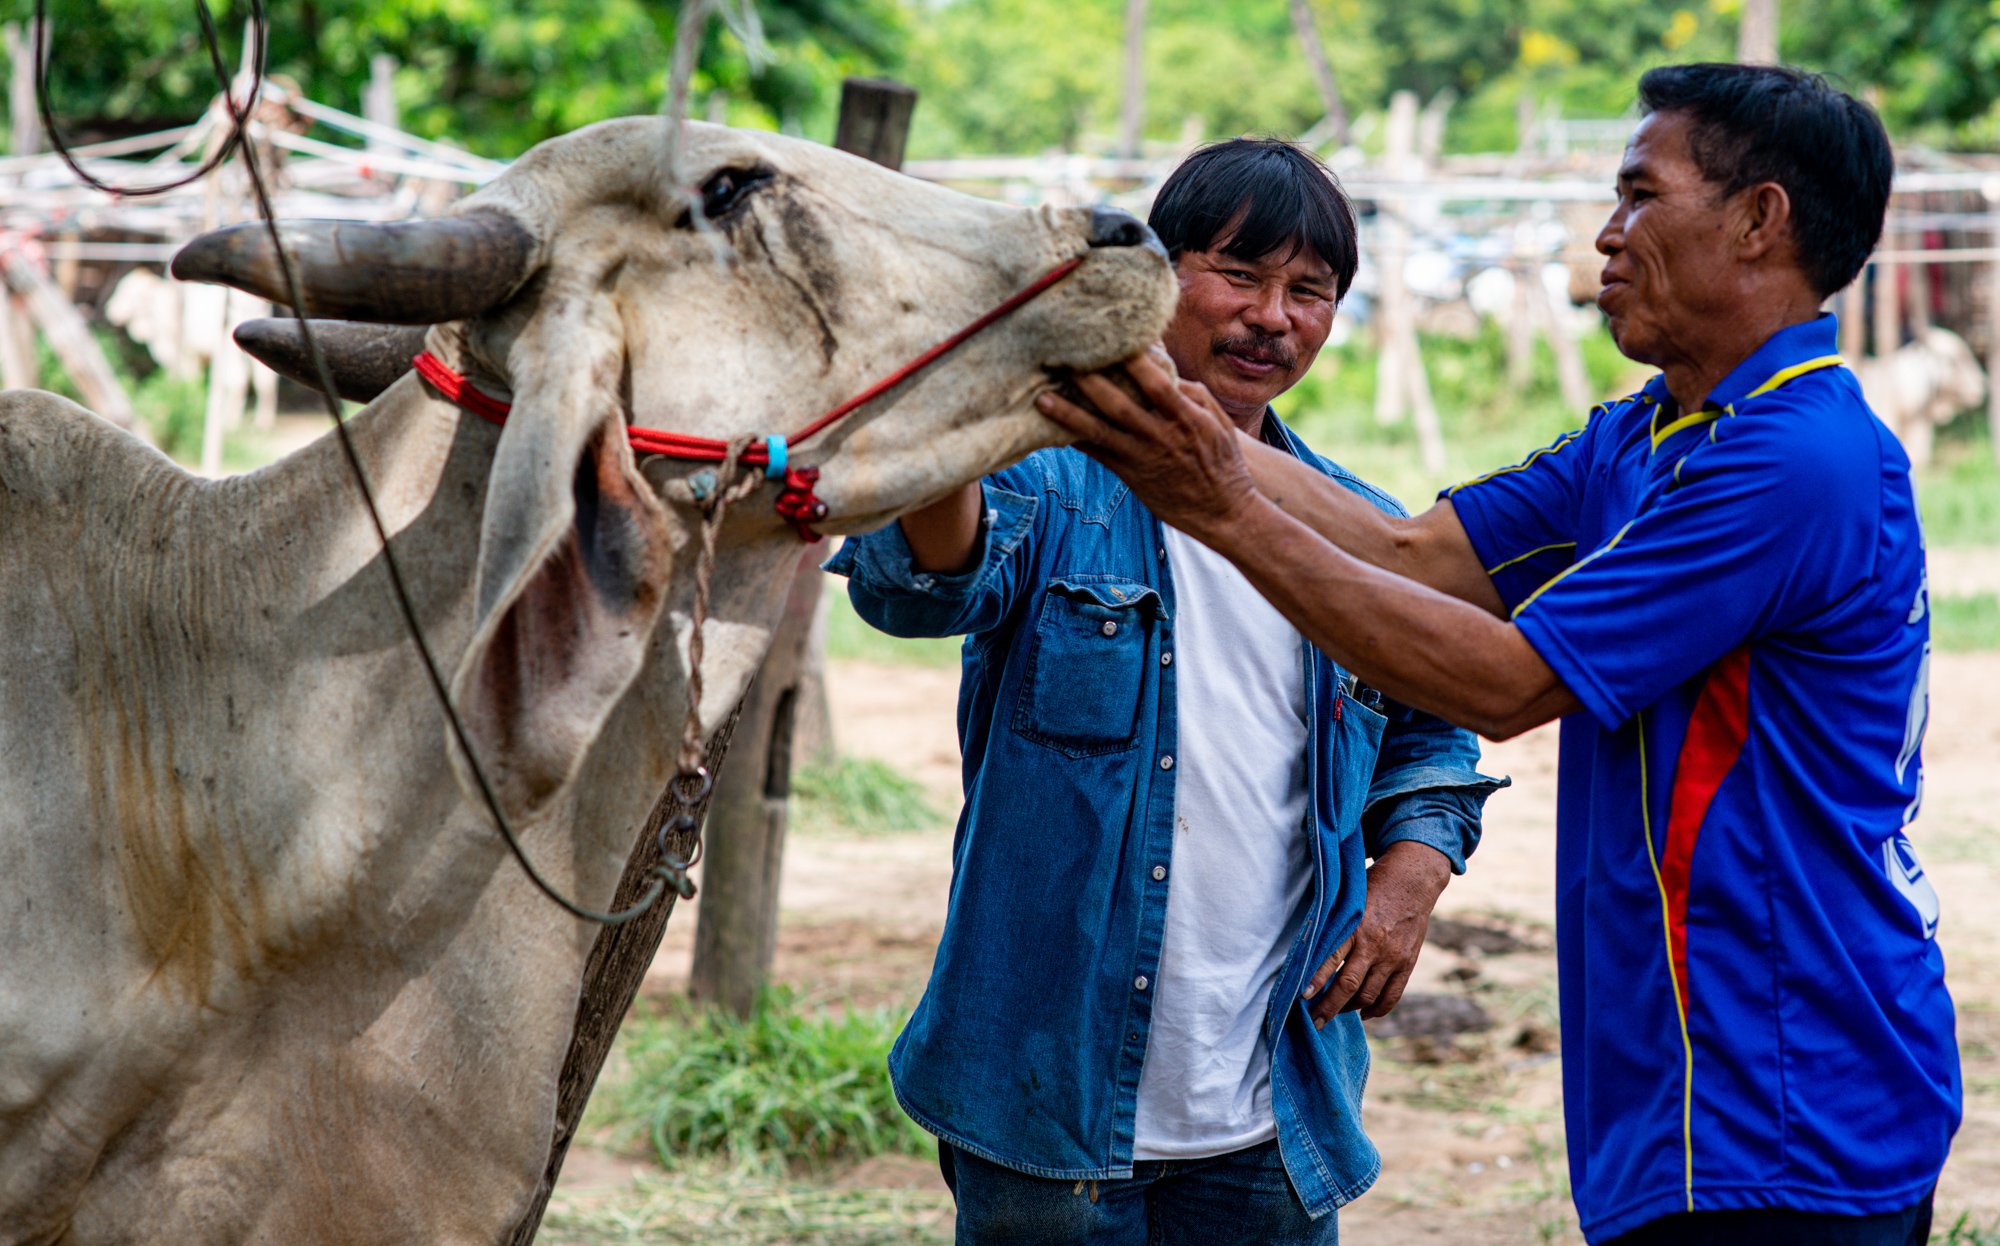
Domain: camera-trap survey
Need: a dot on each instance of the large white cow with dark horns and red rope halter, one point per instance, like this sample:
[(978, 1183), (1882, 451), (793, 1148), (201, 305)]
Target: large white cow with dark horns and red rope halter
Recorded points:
[(267, 975)]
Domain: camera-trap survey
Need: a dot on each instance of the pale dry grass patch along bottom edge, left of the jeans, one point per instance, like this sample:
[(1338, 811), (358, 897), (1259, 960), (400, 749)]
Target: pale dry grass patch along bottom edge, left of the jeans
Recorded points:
[(711, 1205)]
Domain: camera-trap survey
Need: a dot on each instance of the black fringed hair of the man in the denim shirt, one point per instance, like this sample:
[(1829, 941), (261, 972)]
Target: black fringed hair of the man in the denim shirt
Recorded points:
[(1259, 197)]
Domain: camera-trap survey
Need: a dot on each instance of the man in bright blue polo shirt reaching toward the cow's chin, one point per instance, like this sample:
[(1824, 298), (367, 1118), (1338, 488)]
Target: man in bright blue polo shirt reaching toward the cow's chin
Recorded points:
[(1719, 585)]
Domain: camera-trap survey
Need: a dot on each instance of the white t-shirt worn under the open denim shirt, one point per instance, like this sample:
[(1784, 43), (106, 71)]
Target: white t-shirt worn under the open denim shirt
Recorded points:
[(1241, 863)]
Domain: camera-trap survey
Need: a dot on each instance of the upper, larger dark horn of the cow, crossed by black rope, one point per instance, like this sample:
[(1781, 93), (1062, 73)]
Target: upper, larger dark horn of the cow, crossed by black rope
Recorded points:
[(401, 273)]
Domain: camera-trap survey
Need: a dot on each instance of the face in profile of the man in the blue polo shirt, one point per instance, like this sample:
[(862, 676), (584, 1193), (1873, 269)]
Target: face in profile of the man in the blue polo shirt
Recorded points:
[(1669, 263)]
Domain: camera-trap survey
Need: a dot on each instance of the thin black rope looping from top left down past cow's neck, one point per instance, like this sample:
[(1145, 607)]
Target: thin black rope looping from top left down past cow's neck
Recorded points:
[(669, 875)]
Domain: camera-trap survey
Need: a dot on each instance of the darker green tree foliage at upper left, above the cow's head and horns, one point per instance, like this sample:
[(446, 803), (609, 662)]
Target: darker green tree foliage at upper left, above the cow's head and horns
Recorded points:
[(493, 75)]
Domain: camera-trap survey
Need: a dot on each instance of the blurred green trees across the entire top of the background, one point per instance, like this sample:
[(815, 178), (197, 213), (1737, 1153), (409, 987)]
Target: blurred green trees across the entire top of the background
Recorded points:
[(1017, 75)]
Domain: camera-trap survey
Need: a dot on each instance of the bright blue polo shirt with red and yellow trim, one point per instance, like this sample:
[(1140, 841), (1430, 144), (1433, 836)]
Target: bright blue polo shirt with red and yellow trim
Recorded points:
[(1753, 995)]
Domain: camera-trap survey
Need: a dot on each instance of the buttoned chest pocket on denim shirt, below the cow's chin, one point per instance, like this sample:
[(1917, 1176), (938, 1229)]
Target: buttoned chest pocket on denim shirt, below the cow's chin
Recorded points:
[(1087, 665)]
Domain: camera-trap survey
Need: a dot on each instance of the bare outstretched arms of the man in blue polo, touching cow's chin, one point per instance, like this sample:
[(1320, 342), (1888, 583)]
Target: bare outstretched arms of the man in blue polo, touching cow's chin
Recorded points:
[(1411, 639)]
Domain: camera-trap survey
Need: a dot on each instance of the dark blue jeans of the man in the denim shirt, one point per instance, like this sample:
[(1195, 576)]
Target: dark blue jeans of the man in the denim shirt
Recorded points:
[(1237, 1199)]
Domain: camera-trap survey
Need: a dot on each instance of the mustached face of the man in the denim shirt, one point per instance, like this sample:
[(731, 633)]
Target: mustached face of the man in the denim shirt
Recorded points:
[(1249, 329)]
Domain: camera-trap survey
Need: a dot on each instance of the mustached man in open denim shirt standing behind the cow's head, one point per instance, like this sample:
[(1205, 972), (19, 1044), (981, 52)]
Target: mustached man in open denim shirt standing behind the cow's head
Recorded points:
[(1145, 1015)]
